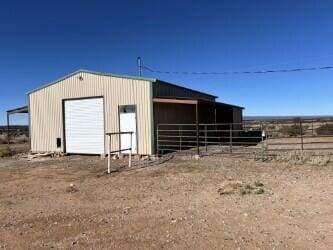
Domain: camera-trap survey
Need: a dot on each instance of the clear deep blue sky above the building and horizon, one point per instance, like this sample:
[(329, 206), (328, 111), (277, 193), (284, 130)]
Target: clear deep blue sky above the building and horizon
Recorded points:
[(41, 41)]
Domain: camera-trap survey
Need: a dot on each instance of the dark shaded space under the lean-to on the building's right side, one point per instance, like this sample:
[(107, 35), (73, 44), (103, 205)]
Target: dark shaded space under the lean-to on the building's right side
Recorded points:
[(183, 117)]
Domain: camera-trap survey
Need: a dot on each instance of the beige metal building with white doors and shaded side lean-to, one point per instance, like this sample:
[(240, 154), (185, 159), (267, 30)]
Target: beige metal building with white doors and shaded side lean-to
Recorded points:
[(73, 114)]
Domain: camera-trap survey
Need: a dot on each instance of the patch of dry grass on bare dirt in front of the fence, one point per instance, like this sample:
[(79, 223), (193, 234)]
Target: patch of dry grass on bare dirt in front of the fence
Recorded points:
[(241, 188)]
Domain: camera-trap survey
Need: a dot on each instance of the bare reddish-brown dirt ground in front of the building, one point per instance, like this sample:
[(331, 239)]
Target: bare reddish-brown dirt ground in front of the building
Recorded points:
[(173, 205)]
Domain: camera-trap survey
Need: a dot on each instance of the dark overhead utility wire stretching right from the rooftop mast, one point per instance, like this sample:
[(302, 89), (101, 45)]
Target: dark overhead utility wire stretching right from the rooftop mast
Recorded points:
[(236, 72)]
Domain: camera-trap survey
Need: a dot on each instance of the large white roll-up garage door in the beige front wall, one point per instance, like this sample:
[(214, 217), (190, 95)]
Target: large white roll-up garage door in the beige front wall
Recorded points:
[(84, 126)]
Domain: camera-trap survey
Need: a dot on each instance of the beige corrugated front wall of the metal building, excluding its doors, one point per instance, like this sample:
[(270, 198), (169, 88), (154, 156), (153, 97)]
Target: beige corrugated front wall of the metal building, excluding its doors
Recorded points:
[(46, 115)]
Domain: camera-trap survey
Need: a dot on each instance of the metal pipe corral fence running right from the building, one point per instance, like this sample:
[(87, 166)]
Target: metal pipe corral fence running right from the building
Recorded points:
[(249, 137)]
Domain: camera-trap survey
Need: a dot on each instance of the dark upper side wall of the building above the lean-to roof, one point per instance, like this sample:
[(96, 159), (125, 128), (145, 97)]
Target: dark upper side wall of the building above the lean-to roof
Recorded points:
[(163, 89)]
